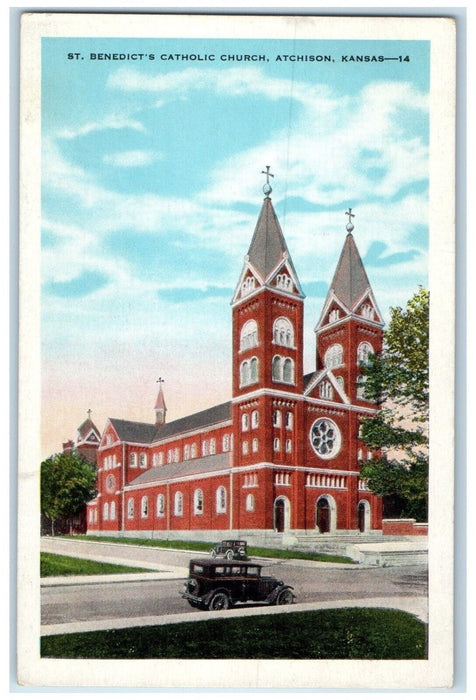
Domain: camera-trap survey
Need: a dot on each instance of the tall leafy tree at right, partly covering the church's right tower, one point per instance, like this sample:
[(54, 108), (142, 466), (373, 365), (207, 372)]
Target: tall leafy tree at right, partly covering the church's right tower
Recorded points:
[(397, 380)]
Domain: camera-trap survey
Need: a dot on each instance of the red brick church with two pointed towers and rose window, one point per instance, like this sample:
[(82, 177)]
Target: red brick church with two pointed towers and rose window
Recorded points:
[(284, 454)]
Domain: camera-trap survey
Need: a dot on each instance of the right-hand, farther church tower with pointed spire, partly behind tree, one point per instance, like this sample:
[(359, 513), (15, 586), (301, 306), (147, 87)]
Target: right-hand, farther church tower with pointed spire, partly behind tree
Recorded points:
[(350, 326)]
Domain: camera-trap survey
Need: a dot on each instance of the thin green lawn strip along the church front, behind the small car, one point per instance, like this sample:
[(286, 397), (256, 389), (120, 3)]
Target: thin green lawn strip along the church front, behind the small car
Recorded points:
[(206, 546)]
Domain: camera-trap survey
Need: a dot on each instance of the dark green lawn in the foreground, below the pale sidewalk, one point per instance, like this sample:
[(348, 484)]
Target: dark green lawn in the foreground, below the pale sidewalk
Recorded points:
[(350, 633)]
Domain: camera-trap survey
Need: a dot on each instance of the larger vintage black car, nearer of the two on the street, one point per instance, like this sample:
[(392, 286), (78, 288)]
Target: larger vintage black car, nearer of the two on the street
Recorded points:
[(218, 585)]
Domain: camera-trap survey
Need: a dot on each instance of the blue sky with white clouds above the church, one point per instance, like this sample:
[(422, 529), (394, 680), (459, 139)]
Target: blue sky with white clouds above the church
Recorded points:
[(152, 184)]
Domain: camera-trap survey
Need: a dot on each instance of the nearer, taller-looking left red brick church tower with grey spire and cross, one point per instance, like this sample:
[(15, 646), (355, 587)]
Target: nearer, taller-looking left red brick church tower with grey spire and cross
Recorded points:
[(267, 350)]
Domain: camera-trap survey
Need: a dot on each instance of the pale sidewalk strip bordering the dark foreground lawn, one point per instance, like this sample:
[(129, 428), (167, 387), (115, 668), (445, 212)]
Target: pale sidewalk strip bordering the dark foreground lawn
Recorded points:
[(414, 606)]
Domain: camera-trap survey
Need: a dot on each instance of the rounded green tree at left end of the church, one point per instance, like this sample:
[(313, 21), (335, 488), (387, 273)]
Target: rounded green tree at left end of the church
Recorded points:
[(68, 482)]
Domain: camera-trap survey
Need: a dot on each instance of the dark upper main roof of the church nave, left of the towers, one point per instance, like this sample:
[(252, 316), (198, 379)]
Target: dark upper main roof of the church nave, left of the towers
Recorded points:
[(146, 433)]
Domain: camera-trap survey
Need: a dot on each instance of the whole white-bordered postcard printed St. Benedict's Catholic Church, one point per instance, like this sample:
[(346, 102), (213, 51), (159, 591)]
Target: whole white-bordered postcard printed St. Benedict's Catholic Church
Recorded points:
[(236, 352)]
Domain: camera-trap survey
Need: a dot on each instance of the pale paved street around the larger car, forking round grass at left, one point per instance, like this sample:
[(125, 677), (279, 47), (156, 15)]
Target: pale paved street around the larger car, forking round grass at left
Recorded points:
[(154, 597)]
